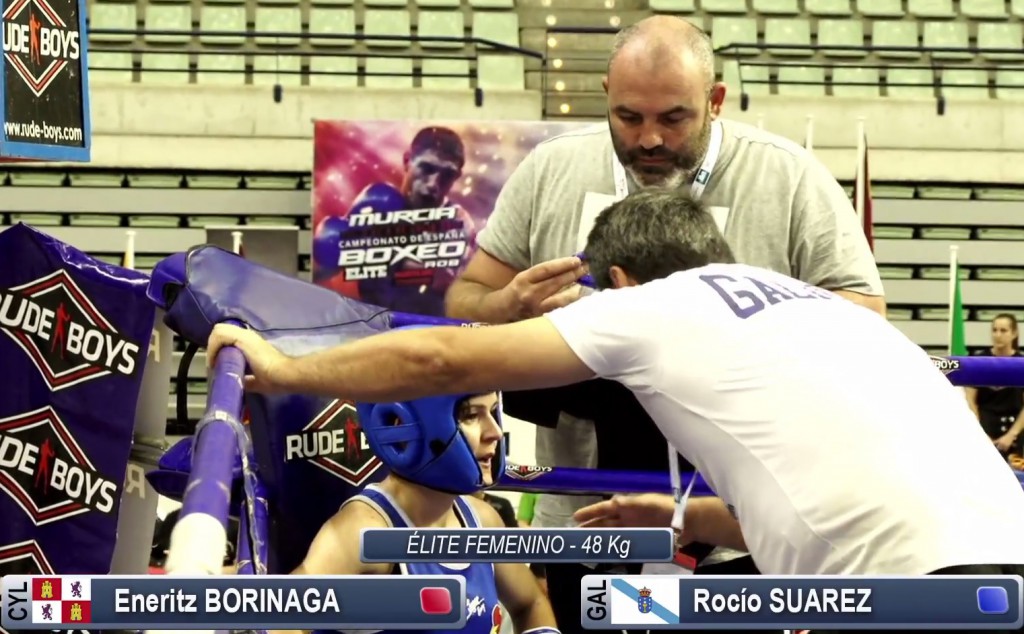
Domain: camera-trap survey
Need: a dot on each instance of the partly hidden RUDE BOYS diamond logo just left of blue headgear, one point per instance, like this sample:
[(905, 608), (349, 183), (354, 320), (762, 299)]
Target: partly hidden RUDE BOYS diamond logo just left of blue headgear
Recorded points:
[(334, 442)]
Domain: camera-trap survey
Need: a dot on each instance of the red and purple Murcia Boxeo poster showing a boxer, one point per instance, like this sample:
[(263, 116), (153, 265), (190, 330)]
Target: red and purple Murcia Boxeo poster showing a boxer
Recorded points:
[(398, 205)]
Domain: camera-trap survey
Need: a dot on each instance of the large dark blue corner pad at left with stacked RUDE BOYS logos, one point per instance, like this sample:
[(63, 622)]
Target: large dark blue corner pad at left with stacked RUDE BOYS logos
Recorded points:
[(74, 337)]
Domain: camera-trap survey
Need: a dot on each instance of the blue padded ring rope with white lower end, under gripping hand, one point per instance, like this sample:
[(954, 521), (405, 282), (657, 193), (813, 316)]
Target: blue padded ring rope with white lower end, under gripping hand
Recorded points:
[(199, 541)]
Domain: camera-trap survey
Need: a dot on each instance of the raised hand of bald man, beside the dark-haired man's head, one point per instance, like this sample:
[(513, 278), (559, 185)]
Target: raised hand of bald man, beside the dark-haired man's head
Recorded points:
[(545, 287)]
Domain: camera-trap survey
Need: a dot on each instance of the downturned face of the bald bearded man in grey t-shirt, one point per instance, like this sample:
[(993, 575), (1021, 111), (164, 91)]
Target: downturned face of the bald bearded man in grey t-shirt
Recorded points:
[(661, 121)]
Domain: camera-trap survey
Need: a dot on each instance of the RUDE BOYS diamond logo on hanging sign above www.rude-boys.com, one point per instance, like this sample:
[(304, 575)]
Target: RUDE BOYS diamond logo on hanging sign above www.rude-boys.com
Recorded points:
[(38, 43)]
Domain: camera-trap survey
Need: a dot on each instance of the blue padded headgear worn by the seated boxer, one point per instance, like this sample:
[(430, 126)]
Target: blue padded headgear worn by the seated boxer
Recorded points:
[(420, 441)]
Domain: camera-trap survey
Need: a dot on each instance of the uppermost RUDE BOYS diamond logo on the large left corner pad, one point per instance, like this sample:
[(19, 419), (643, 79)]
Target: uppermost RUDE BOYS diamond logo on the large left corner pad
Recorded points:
[(68, 340)]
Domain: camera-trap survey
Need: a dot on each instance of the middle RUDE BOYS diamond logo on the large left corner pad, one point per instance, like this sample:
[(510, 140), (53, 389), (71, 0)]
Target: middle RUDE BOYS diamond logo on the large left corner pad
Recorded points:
[(47, 473)]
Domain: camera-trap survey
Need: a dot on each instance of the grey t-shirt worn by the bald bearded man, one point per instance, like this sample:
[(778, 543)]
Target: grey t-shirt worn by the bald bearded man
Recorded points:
[(787, 214)]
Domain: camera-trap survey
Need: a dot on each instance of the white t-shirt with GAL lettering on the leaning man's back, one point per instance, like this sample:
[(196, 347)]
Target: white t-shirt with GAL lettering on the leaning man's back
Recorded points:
[(840, 446)]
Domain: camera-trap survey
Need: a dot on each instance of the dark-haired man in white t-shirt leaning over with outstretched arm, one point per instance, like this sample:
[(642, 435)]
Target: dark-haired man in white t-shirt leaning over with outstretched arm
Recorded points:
[(815, 420)]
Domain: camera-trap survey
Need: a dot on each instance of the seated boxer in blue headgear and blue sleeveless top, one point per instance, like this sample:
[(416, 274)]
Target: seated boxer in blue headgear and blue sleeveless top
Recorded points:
[(440, 451)]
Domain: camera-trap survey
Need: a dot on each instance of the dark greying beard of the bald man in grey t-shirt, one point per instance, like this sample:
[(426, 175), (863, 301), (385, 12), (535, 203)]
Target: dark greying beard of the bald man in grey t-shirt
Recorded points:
[(680, 166)]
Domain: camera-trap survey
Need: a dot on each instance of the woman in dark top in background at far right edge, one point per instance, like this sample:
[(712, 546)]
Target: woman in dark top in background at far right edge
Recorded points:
[(1001, 410)]
